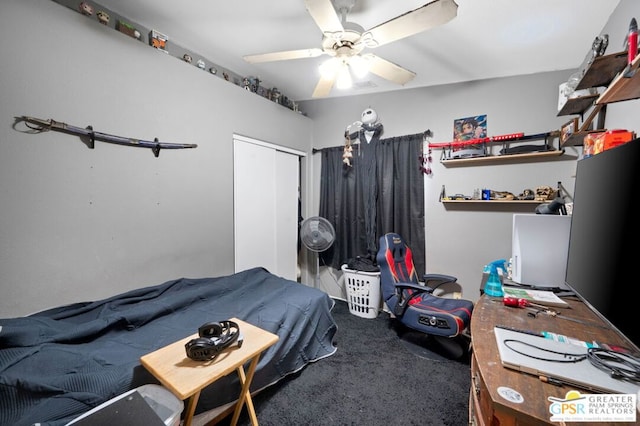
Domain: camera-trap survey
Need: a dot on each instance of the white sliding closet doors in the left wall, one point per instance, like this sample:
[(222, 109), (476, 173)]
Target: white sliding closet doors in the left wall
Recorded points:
[(266, 185)]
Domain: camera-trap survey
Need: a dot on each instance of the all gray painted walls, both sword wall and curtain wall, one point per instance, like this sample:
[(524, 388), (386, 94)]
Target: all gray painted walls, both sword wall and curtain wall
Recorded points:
[(79, 224)]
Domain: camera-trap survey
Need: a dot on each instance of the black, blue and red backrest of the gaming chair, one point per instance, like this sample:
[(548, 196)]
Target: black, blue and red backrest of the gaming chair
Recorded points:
[(395, 261)]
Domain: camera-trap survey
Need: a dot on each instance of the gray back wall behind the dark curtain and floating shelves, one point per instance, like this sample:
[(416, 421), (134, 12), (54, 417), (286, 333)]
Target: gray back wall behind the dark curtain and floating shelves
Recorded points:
[(460, 241)]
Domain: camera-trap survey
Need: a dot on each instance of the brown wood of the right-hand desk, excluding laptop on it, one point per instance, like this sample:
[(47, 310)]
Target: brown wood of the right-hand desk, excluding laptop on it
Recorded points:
[(486, 405)]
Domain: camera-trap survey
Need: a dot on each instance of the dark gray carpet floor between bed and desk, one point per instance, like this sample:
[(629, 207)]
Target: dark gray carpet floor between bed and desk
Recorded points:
[(381, 374)]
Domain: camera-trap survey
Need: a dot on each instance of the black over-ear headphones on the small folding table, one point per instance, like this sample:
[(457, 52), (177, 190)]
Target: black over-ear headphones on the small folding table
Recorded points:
[(214, 337)]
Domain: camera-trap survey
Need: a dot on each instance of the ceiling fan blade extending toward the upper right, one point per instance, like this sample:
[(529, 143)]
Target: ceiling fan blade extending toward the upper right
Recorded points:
[(418, 20)]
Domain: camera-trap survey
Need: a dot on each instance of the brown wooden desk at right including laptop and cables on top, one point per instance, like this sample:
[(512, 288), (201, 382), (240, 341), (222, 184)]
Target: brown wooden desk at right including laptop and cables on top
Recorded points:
[(551, 366)]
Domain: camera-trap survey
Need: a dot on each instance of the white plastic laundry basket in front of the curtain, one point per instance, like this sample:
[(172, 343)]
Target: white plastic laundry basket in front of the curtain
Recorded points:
[(363, 292)]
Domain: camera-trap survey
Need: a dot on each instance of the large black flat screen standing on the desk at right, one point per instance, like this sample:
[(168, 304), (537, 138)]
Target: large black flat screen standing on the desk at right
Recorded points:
[(602, 265)]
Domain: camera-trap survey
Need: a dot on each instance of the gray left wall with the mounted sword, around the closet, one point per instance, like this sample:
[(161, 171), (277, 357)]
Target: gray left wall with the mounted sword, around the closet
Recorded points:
[(79, 224)]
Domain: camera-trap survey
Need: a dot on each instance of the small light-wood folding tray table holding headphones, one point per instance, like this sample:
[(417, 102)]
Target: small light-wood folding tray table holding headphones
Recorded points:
[(186, 377)]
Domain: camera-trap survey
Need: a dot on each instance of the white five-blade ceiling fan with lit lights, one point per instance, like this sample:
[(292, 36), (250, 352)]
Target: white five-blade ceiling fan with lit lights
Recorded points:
[(345, 41)]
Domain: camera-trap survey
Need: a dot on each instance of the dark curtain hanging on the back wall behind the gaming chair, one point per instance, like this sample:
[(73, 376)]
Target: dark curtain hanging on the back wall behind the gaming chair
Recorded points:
[(382, 191)]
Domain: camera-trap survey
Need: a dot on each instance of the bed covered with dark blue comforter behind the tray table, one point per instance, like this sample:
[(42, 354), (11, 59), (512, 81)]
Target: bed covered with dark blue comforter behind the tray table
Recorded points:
[(60, 363)]
